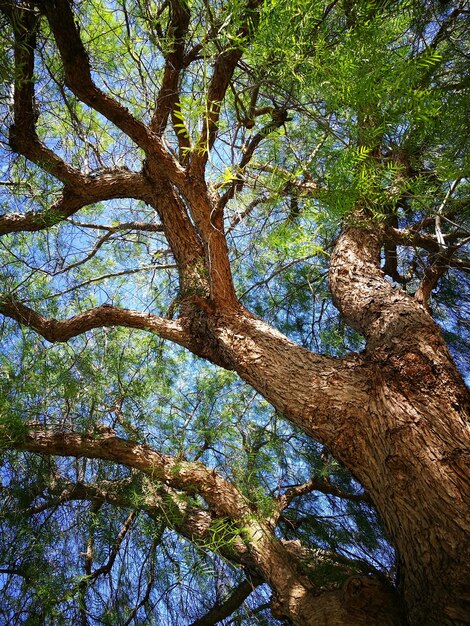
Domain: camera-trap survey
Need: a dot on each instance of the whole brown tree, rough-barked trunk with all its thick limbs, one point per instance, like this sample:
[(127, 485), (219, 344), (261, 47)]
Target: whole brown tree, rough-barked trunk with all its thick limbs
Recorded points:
[(395, 415)]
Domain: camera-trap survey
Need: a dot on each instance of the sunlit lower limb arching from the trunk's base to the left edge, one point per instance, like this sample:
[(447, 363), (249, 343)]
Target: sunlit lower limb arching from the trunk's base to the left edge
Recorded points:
[(362, 600)]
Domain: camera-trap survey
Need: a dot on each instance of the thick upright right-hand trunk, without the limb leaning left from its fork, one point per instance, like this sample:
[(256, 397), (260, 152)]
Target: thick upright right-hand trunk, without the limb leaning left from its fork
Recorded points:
[(416, 433)]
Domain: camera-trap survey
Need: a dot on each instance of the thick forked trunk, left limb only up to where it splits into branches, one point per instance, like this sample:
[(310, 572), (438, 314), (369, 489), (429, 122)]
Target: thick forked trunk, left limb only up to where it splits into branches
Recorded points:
[(394, 415)]
